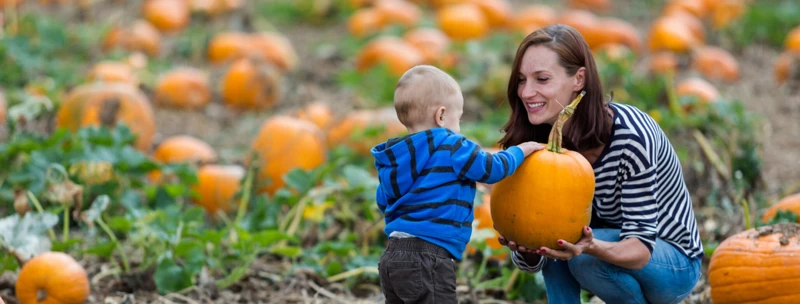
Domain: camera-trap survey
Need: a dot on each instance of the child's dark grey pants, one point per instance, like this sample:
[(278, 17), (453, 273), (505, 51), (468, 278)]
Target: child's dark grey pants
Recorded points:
[(415, 271)]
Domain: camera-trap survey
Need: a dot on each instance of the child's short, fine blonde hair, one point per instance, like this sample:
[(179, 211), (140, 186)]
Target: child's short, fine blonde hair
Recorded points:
[(421, 89)]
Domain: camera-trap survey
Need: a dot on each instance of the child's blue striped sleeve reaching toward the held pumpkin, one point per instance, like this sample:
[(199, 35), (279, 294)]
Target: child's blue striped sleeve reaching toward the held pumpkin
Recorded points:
[(472, 163)]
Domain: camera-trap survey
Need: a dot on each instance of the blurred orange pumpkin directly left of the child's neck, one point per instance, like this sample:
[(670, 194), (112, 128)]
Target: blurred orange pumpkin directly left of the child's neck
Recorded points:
[(350, 130)]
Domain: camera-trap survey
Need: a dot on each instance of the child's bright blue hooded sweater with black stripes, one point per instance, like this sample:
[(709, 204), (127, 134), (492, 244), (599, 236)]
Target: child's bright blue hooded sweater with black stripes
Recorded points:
[(427, 184)]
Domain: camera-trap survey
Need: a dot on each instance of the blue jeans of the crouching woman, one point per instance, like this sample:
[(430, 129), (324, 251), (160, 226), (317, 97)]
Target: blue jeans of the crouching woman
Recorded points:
[(669, 277)]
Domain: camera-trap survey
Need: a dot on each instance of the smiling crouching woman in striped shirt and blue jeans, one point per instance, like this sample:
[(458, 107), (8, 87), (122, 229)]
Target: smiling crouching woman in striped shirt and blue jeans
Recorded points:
[(643, 245)]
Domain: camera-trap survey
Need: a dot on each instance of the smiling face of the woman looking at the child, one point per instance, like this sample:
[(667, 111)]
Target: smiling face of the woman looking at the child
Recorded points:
[(544, 86)]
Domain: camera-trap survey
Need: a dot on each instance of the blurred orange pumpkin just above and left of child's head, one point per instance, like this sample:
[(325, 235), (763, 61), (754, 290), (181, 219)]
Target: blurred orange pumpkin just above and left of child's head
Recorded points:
[(392, 51)]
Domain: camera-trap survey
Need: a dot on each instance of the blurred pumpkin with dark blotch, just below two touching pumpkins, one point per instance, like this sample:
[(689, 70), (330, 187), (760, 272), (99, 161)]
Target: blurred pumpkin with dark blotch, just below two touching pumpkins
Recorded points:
[(250, 84)]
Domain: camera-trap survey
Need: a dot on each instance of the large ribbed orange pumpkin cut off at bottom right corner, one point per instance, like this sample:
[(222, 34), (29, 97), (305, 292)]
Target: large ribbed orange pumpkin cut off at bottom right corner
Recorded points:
[(759, 265)]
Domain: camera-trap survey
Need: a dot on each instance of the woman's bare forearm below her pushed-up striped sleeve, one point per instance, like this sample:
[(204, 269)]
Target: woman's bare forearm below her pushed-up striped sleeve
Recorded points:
[(629, 253)]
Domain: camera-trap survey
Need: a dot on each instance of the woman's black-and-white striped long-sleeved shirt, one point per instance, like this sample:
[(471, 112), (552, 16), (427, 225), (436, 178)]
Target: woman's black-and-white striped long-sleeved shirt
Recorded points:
[(639, 187)]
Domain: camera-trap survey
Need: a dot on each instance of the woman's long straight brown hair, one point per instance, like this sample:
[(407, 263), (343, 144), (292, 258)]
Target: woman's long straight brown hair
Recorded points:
[(589, 127)]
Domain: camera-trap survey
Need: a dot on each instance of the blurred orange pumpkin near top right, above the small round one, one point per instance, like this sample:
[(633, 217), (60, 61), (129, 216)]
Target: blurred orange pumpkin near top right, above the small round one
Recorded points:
[(670, 34)]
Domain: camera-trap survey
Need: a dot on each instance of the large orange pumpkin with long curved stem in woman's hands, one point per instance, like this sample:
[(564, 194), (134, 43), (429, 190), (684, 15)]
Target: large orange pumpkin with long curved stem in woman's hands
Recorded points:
[(549, 197)]
